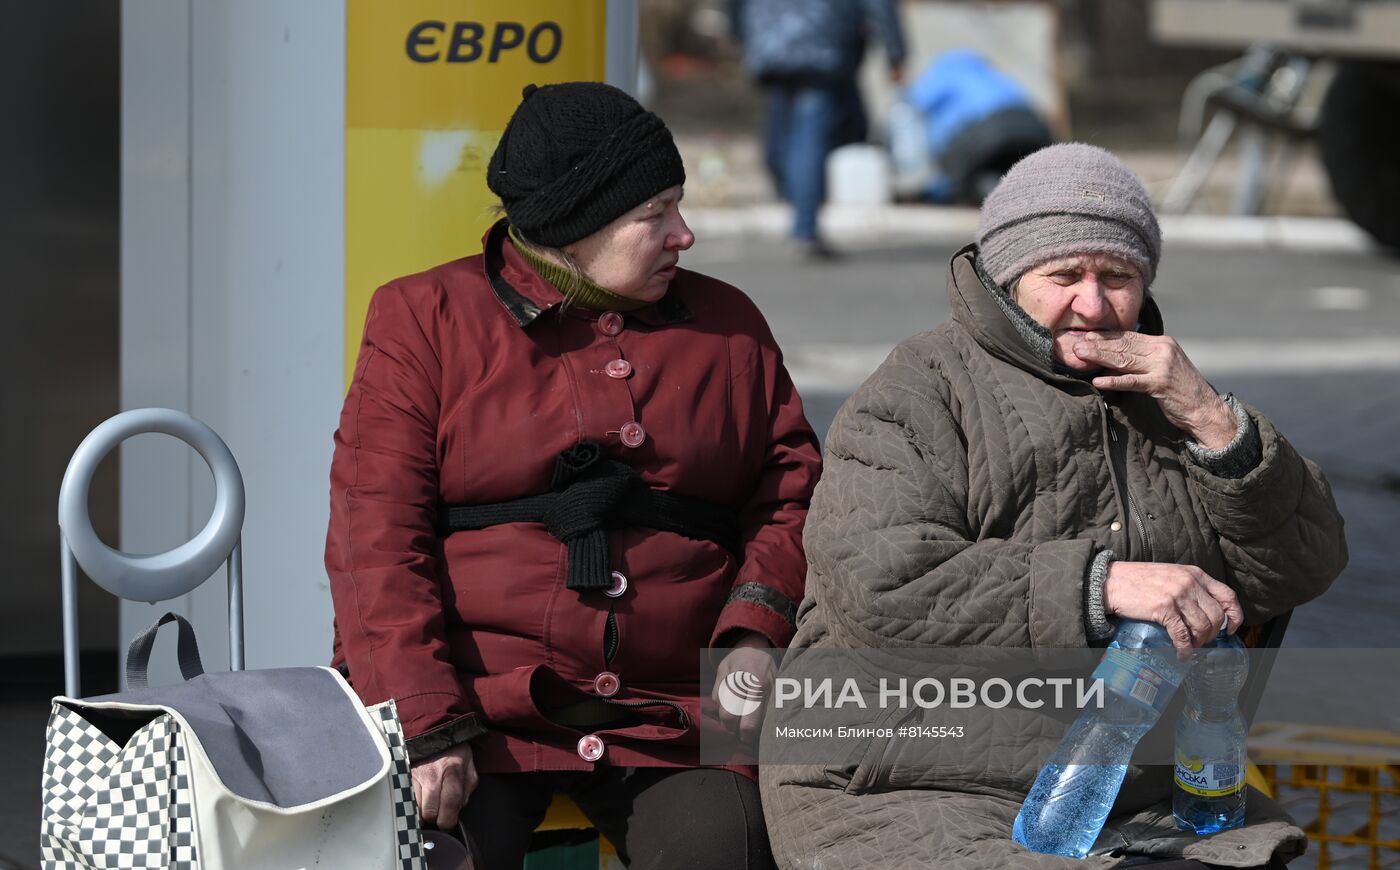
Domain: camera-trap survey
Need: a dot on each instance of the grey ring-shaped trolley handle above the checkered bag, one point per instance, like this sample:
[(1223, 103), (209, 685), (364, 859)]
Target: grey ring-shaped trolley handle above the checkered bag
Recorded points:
[(160, 576)]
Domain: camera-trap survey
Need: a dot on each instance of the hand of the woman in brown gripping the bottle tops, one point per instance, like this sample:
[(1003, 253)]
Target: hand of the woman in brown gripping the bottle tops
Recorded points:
[(1186, 602)]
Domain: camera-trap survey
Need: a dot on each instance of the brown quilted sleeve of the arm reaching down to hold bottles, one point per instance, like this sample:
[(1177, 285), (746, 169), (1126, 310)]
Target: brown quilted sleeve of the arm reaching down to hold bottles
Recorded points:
[(888, 541)]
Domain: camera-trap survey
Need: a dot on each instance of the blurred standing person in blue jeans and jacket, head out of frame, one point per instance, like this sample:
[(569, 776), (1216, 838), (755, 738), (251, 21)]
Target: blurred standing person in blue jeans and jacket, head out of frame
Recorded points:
[(806, 55)]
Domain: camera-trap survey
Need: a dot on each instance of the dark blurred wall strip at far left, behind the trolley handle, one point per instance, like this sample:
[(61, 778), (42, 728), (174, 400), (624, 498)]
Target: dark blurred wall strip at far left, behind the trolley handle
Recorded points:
[(59, 132)]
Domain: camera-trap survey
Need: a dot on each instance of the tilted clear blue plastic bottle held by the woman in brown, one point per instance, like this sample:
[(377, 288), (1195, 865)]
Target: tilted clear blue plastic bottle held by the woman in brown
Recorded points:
[(1074, 792)]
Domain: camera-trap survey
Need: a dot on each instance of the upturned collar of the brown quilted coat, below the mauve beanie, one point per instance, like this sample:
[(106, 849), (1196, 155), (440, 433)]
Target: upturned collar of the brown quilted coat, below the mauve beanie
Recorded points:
[(979, 313)]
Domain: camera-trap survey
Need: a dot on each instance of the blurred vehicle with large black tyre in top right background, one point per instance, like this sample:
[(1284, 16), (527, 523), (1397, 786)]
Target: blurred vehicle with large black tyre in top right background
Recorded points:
[(1326, 71)]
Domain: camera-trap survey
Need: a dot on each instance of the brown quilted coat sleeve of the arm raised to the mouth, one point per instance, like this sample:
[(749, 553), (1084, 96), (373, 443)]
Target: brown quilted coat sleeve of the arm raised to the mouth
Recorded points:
[(1279, 526)]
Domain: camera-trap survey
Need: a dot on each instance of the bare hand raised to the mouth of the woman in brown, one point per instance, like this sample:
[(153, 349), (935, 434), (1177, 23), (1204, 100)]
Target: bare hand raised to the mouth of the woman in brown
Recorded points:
[(1157, 365)]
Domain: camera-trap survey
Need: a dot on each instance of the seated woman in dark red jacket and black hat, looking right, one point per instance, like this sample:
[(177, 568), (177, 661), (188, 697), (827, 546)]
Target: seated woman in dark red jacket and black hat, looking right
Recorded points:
[(565, 467)]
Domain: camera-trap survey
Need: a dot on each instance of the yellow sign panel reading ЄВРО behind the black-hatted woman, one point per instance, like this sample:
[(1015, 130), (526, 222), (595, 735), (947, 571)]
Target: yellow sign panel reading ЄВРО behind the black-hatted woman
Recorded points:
[(429, 89)]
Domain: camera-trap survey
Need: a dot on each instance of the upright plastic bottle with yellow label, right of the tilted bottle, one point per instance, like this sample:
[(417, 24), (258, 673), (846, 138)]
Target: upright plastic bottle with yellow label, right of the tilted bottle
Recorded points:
[(1210, 742)]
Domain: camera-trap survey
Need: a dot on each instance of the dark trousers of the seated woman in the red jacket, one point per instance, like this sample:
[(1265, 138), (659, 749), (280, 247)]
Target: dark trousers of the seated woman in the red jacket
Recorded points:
[(656, 817)]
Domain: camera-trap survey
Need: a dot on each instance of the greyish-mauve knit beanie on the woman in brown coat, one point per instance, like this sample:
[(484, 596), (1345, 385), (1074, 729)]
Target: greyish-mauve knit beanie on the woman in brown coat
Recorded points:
[(1067, 200)]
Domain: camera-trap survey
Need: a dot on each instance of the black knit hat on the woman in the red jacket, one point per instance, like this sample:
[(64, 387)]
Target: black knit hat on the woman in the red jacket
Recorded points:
[(577, 156)]
